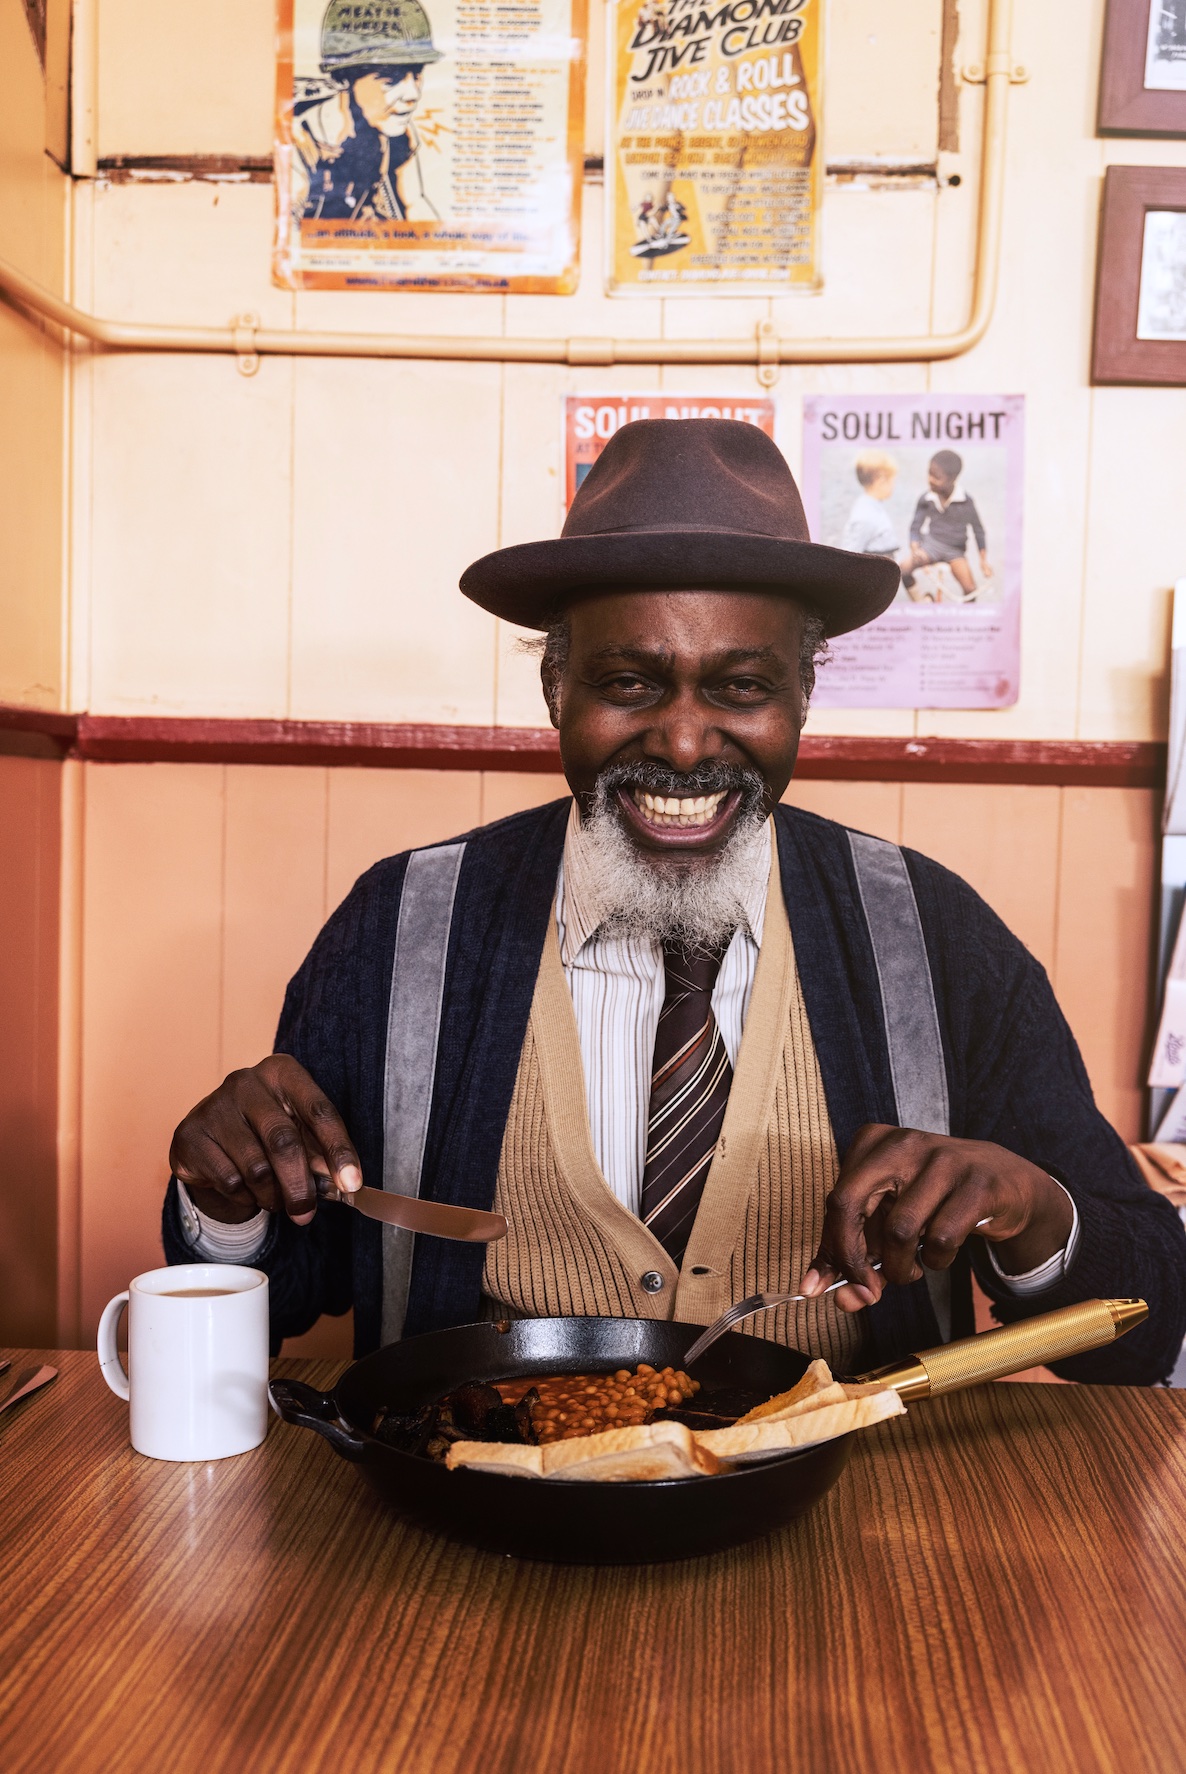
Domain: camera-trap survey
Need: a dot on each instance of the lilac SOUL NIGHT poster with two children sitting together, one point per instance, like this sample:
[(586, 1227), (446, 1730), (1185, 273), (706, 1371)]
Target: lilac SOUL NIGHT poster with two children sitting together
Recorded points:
[(933, 482)]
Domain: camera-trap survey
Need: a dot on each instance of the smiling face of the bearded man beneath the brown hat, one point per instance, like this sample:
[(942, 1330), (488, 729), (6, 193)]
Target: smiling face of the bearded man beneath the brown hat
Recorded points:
[(669, 682)]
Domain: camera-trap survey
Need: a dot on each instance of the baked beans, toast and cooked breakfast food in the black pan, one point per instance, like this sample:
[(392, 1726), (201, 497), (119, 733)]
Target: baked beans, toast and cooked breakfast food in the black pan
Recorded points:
[(632, 1425)]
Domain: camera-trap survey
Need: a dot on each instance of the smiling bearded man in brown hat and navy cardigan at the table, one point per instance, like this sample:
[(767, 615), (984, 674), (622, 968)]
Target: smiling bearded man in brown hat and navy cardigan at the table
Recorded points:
[(646, 1024)]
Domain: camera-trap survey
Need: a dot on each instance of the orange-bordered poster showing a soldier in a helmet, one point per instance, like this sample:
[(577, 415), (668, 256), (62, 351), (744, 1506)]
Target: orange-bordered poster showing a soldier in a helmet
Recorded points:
[(430, 145)]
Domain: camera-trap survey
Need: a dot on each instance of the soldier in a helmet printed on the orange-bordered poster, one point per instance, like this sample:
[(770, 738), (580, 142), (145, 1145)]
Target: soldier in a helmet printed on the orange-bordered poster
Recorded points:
[(354, 148)]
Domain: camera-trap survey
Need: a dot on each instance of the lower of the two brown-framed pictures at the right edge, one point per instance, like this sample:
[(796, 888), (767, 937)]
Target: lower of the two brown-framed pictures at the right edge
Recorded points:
[(1141, 292)]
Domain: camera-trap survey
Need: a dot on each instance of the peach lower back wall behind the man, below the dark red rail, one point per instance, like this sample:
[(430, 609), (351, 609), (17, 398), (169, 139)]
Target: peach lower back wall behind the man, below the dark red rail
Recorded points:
[(205, 886)]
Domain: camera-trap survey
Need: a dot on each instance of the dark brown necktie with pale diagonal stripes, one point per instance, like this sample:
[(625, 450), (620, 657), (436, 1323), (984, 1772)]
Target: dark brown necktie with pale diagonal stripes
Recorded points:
[(689, 1094)]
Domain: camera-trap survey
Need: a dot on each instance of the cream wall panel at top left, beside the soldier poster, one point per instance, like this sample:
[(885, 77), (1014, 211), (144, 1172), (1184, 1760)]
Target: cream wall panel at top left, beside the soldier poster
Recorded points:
[(185, 79)]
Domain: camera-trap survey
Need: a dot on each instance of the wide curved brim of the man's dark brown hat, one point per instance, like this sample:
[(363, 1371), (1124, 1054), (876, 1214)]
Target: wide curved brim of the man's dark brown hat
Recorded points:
[(531, 583)]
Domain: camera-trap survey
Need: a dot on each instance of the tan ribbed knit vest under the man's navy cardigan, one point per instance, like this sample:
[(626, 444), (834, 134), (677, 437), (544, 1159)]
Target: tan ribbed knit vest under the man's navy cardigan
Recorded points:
[(575, 1250)]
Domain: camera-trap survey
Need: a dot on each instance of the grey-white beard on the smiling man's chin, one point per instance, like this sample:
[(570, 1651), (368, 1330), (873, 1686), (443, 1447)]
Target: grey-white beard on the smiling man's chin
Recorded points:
[(698, 906)]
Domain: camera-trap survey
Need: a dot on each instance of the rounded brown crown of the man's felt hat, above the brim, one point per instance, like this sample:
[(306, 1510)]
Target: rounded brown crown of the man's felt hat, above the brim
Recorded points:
[(689, 475)]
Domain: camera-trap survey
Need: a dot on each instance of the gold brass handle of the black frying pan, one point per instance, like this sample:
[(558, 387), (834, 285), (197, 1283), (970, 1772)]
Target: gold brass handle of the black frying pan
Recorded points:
[(1013, 1349)]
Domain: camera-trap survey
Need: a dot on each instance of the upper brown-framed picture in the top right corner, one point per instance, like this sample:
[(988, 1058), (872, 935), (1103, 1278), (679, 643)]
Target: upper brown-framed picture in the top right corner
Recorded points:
[(1143, 79)]
